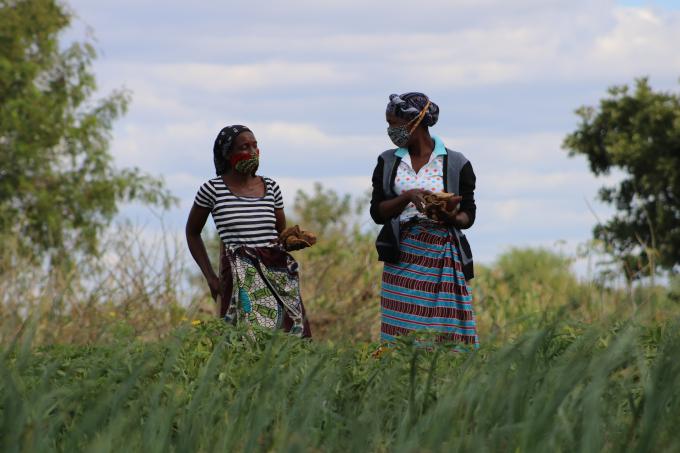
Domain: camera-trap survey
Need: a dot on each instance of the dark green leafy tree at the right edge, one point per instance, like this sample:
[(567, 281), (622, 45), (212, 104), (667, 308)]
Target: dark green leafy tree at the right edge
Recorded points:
[(639, 134)]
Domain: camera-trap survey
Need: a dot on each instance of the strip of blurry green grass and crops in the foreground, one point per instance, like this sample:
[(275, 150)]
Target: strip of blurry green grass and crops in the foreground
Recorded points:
[(563, 387)]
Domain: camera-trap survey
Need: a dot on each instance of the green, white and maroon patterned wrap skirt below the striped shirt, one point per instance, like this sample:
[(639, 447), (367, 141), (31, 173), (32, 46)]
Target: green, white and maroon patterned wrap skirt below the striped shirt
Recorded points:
[(260, 286)]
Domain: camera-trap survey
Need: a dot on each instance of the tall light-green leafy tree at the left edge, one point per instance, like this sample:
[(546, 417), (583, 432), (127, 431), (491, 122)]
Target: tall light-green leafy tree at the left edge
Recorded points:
[(58, 186)]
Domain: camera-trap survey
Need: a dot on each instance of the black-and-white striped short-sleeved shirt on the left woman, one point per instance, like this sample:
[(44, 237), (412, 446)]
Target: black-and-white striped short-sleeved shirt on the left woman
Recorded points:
[(242, 220)]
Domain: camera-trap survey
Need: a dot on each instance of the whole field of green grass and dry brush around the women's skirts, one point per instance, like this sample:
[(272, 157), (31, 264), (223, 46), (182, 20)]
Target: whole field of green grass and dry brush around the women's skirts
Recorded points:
[(113, 354)]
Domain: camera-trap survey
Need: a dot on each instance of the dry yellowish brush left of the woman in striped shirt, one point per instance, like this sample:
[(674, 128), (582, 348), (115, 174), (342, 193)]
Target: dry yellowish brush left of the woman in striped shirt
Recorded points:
[(134, 285)]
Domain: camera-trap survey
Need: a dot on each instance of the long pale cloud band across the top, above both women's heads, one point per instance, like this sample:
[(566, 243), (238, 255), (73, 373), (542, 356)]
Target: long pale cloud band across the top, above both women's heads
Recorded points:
[(576, 44)]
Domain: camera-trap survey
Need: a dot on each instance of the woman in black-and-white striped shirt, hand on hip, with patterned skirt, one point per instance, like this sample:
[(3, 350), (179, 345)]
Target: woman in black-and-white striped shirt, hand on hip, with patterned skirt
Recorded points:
[(258, 281)]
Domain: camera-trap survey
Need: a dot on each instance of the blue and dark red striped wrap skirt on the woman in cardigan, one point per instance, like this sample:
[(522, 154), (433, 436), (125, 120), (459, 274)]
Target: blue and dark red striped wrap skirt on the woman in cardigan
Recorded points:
[(426, 290)]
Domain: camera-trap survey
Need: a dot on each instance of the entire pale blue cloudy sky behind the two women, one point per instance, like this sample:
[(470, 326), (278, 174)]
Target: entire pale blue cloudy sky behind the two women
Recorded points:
[(311, 78)]
